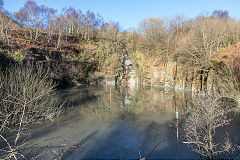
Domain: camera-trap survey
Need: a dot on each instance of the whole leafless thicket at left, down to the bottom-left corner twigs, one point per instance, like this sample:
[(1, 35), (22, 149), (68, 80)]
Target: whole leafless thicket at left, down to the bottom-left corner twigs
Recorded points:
[(27, 97)]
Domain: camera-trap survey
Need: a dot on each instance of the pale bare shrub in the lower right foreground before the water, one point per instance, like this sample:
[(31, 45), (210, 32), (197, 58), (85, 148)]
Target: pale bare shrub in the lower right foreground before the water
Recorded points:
[(201, 125)]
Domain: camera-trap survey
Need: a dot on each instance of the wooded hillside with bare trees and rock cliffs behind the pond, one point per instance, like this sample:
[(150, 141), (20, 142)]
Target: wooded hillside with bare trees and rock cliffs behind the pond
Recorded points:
[(83, 49)]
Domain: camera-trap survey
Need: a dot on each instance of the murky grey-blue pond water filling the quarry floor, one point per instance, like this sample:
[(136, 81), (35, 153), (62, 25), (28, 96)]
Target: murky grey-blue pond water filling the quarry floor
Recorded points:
[(116, 123)]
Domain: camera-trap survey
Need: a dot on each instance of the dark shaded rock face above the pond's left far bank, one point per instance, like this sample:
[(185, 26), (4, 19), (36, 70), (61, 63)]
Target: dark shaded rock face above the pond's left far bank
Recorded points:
[(65, 73)]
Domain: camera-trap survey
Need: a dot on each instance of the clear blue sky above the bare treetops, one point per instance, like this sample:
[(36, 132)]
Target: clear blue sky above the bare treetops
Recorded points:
[(130, 12)]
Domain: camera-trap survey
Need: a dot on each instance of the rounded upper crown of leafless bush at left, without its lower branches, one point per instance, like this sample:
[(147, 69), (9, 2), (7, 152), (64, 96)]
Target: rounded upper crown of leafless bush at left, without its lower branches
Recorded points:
[(27, 95)]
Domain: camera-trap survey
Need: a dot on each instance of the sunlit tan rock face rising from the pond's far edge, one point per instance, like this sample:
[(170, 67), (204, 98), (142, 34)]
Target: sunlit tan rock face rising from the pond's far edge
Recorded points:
[(169, 75)]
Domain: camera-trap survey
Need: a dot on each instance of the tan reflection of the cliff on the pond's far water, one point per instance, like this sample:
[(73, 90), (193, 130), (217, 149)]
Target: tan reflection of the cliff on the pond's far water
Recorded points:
[(107, 103)]
